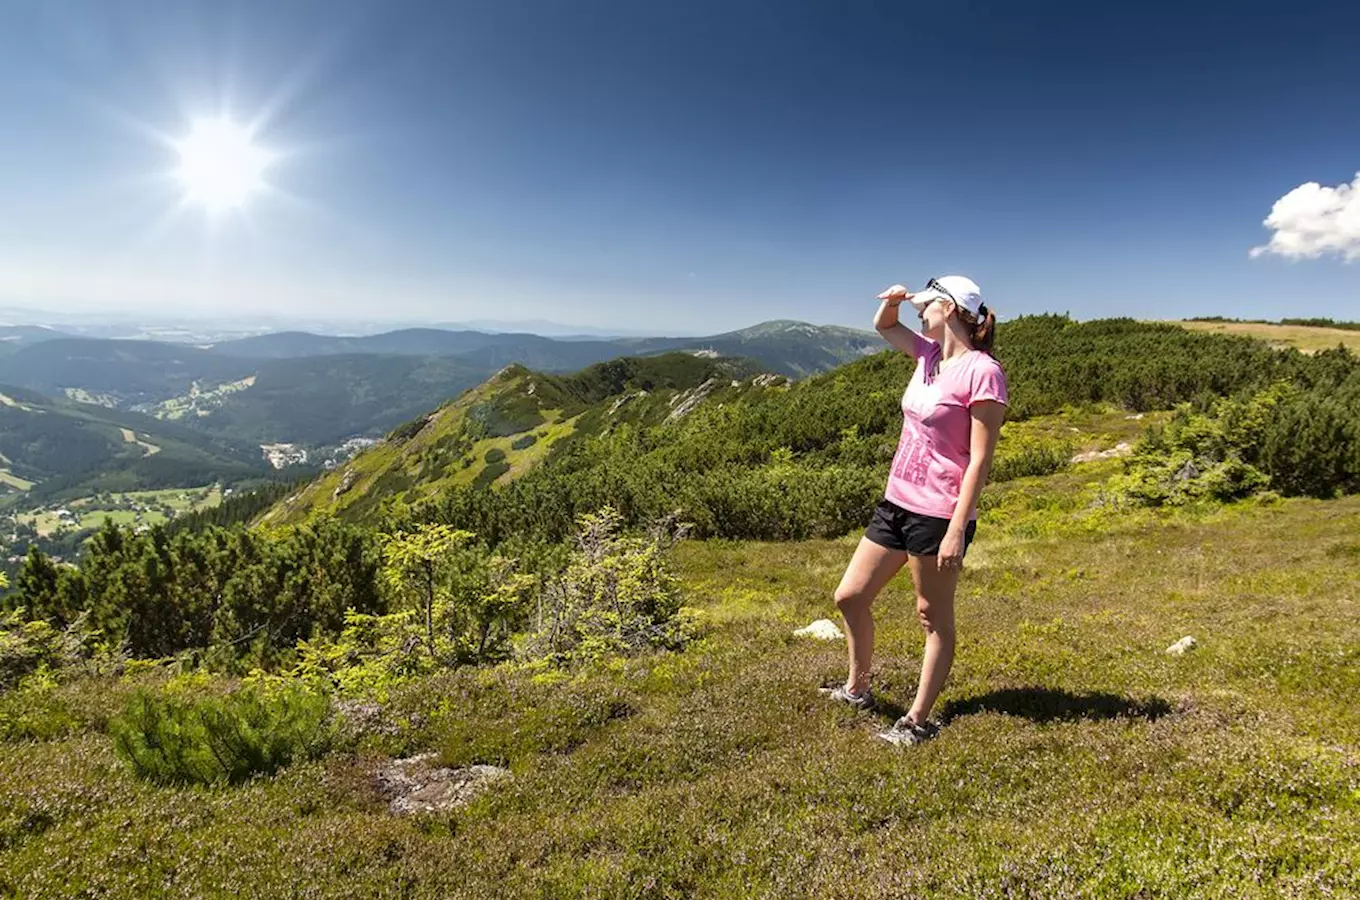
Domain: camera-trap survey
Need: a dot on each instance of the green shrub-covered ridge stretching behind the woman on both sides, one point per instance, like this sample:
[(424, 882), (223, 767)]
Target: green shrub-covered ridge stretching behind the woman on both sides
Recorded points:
[(810, 459)]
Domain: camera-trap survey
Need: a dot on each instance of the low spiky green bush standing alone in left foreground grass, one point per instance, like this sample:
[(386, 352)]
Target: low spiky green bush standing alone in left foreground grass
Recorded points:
[(173, 740)]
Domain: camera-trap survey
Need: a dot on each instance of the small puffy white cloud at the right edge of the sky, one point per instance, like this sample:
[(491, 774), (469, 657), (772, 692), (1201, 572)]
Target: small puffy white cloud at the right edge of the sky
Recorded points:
[(1313, 221)]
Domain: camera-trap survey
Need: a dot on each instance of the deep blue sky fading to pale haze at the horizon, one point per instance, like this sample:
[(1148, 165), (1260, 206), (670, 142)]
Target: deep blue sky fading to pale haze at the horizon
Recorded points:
[(685, 168)]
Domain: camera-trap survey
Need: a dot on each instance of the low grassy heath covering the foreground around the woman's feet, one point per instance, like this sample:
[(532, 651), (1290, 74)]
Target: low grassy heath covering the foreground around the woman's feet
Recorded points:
[(1079, 758)]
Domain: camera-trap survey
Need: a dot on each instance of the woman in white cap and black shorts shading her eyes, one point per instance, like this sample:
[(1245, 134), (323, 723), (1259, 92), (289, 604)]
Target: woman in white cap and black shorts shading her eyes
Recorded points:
[(953, 414)]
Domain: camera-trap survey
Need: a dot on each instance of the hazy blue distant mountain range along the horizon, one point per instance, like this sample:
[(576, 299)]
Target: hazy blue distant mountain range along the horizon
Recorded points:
[(318, 390)]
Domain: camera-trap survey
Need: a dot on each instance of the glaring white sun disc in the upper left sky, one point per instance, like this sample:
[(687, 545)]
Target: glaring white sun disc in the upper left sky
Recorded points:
[(221, 167)]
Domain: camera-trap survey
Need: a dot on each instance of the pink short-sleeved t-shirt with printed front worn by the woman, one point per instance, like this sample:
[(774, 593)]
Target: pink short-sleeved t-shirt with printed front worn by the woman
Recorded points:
[(936, 425)]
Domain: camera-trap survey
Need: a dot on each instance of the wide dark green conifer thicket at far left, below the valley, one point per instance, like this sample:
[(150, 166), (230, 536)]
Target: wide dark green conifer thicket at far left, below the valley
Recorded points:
[(240, 591)]
